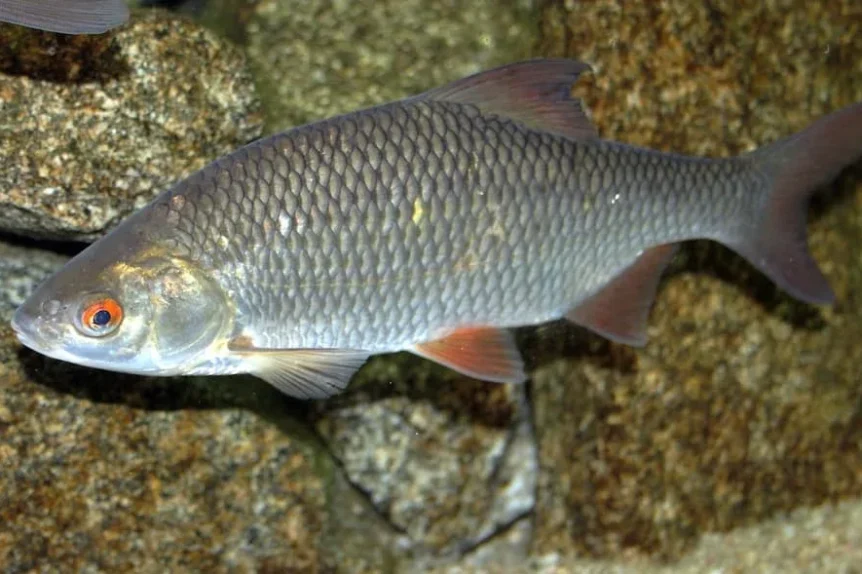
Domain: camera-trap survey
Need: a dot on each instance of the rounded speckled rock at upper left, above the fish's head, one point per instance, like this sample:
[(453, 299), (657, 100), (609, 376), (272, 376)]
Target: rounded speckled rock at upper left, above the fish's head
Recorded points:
[(92, 128)]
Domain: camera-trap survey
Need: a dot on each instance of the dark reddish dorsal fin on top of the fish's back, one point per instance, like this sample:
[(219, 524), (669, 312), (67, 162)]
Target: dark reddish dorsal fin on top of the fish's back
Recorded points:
[(535, 92)]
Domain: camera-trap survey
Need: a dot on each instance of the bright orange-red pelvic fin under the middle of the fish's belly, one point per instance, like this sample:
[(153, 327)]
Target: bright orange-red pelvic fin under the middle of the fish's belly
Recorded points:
[(483, 353)]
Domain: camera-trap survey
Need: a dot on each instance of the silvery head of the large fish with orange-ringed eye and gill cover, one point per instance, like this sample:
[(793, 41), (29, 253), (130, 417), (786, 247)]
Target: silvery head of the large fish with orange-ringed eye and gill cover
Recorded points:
[(128, 310)]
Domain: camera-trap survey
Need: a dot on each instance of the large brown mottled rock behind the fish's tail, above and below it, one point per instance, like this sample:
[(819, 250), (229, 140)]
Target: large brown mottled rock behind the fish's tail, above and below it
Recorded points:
[(745, 403)]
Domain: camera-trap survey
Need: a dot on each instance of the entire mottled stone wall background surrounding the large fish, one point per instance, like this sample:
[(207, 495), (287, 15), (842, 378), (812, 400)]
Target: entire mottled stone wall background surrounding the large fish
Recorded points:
[(731, 441)]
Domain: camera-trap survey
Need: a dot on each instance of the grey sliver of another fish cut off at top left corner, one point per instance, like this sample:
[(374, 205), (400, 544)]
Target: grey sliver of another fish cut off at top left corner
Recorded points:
[(66, 16)]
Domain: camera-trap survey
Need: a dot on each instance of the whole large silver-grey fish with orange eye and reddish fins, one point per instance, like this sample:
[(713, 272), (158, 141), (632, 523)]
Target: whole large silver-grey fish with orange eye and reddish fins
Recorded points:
[(434, 224)]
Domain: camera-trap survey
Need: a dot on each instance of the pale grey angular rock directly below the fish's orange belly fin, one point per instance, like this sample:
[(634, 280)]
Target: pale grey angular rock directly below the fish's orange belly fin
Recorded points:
[(447, 461)]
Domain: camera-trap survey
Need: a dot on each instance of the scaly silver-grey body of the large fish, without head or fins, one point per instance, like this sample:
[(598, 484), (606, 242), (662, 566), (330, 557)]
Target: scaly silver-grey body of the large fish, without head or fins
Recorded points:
[(386, 227)]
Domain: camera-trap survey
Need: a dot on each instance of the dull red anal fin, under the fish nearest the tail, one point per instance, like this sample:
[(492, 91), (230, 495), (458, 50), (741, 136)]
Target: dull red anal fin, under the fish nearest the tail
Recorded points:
[(621, 309)]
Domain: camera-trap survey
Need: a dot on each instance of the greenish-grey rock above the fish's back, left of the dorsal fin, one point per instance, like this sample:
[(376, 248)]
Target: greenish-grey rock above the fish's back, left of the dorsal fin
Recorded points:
[(318, 59)]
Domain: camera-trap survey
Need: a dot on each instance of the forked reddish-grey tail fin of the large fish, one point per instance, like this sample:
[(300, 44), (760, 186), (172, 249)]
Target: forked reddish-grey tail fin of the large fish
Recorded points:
[(776, 241)]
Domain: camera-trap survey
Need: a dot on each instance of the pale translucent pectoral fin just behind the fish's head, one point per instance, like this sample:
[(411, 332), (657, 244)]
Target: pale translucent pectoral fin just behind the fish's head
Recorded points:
[(303, 373)]
